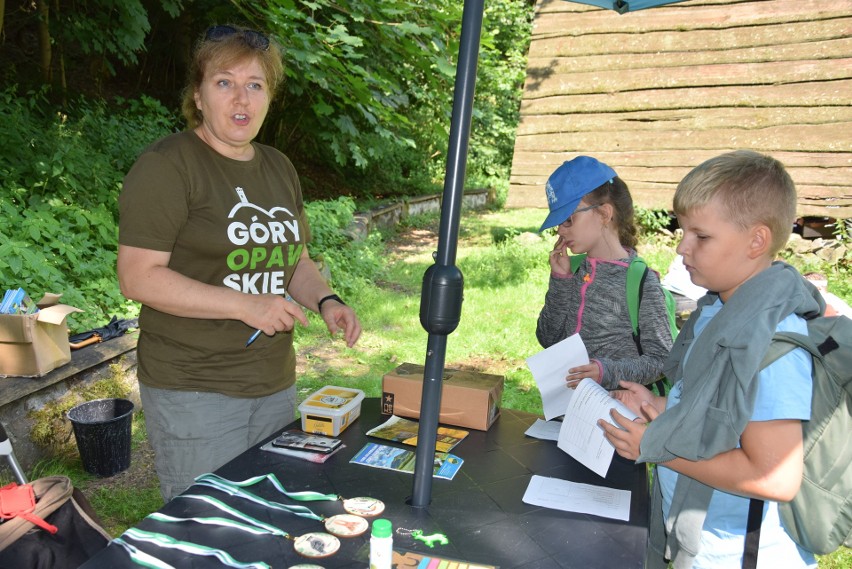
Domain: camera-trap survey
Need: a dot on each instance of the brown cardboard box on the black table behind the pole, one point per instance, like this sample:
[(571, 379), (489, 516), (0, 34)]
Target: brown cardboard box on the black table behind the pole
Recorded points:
[(469, 399)]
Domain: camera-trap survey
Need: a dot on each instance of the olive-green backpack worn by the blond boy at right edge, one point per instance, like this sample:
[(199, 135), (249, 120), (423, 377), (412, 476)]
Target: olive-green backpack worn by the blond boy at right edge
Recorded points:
[(819, 518)]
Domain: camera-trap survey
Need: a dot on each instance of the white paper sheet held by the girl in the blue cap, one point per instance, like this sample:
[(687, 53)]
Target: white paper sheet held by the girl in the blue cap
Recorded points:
[(550, 367)]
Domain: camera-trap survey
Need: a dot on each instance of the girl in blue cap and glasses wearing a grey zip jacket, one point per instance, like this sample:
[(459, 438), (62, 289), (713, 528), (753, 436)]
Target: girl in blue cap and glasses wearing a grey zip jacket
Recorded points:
[(592, 211)]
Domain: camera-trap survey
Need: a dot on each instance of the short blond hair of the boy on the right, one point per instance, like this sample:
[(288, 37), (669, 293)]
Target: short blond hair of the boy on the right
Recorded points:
[(751, 188)]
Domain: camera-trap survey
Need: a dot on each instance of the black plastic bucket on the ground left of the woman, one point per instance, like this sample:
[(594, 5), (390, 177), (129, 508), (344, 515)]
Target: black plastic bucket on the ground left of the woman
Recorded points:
[(102, 430)]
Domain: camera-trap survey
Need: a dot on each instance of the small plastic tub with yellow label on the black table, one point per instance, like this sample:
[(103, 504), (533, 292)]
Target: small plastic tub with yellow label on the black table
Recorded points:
[(330, 410)]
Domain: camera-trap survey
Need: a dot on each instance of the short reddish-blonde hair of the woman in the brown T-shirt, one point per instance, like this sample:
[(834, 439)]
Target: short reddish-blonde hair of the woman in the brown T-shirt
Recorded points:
[(222, 50)]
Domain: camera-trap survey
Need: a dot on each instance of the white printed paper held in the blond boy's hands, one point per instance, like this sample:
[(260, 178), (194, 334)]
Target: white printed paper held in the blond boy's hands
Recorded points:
[(580, 435)]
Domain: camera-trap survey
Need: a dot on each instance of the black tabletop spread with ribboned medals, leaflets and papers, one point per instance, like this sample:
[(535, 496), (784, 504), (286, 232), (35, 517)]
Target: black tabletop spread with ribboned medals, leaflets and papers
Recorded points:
[(480, 510)]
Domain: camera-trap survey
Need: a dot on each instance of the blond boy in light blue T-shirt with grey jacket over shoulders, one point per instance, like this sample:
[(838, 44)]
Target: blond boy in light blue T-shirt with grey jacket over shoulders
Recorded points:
[(728, 431)]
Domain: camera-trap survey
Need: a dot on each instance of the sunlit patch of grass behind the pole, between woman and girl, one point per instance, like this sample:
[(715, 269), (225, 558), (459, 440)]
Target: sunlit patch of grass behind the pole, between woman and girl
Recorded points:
[(503, 291)]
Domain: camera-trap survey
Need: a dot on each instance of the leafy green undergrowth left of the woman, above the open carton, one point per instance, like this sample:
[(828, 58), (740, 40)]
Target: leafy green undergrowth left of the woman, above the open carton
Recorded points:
[(61, 174)]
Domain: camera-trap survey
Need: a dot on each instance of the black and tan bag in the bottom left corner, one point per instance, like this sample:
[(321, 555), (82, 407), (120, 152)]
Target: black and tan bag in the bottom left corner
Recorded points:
[(79, 533)]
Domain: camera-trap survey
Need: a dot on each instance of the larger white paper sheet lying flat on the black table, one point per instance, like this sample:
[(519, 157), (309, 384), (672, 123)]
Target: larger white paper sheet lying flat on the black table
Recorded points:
[(576, 497)]
